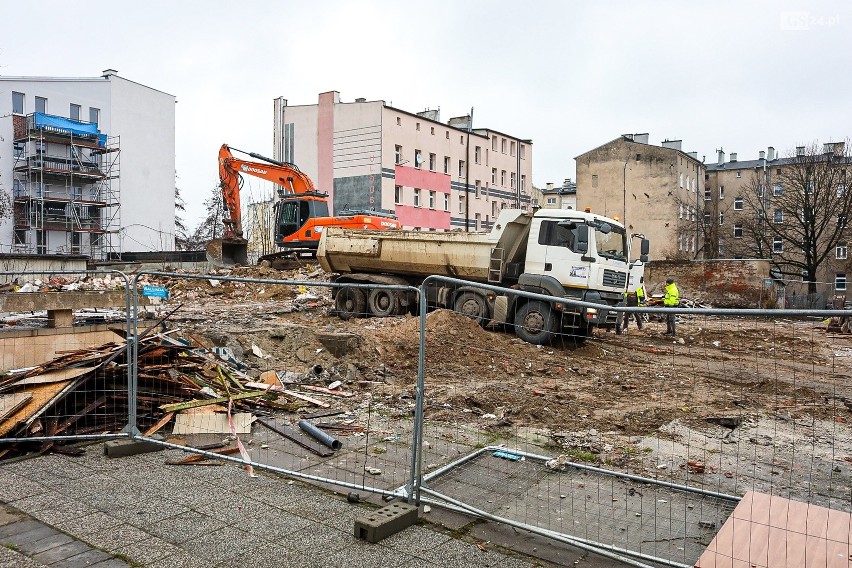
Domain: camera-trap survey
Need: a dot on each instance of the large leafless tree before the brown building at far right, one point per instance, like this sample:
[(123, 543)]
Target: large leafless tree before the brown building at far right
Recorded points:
[(798, 215)]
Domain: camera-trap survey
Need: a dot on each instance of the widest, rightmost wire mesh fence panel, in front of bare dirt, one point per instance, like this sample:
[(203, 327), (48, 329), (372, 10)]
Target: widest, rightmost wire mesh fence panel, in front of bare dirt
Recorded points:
[(637, 443)]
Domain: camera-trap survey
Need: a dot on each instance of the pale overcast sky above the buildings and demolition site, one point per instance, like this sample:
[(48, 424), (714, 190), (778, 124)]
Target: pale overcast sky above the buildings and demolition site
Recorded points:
[(568, 75)]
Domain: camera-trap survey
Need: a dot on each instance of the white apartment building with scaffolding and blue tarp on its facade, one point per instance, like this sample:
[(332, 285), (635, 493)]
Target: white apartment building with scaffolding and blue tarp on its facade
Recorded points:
[(87, 165)]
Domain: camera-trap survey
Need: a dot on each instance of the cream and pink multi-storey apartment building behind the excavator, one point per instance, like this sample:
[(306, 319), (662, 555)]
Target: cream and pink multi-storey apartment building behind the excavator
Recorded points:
[(433, 175)]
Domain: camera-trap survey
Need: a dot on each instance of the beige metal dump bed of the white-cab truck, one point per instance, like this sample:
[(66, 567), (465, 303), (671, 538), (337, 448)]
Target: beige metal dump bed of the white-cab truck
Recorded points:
[(413, 253)]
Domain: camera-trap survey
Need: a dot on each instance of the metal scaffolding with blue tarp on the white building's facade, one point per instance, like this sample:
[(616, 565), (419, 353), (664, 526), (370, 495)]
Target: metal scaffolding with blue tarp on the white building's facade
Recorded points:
[(65, 186)]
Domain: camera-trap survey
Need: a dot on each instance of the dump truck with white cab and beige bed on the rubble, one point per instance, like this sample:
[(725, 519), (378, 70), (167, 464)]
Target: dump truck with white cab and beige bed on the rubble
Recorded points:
[(562, 253)]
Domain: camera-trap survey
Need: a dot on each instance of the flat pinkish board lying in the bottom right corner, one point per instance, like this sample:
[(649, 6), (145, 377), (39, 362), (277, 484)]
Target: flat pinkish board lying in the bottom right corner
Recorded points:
[(766, 531)]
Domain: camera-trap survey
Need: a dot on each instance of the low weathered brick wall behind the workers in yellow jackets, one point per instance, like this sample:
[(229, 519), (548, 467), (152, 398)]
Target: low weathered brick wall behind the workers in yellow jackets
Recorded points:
[(720, 283)]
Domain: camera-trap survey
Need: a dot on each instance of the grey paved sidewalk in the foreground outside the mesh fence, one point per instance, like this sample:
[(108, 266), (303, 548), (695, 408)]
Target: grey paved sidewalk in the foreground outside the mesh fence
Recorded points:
[(138, 511)]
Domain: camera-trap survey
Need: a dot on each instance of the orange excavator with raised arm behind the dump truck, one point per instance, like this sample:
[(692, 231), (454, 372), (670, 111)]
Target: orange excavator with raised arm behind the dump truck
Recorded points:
[(301, 212)]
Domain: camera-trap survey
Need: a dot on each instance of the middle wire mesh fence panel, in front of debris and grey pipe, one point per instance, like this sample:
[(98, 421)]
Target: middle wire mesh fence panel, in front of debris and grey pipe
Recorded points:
[(248, 359)]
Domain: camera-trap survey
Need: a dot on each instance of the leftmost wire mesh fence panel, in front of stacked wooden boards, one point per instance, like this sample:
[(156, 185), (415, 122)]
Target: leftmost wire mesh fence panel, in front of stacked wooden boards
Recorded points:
[(64, 358)]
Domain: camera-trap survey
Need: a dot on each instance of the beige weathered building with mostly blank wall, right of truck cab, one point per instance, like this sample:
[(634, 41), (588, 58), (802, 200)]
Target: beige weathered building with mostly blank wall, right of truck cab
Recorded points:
[(654, 190)]
